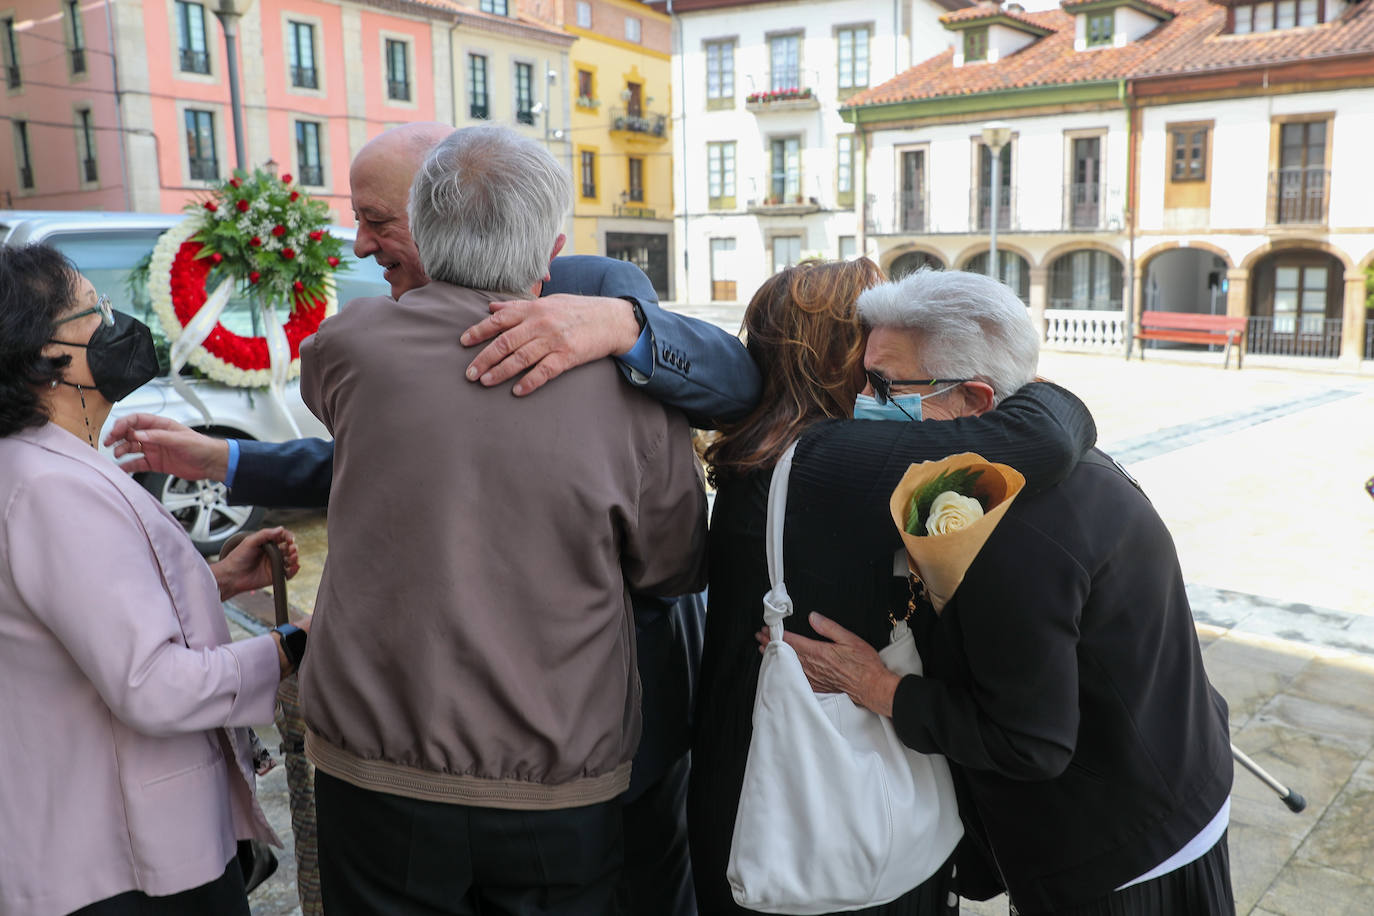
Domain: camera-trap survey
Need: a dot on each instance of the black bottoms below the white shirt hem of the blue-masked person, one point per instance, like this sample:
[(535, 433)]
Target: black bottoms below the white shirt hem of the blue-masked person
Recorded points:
[(1203, 888)]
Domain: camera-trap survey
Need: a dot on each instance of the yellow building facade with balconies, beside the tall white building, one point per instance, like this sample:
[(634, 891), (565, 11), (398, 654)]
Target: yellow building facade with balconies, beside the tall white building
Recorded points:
[(622, 135)]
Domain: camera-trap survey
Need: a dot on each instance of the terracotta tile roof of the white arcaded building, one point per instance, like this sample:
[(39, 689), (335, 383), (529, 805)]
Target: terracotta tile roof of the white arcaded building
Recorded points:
[(1192, 42)]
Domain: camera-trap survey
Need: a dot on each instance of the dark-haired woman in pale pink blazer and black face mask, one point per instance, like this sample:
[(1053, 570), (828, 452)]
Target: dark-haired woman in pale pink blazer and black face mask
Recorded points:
[(123, 702)]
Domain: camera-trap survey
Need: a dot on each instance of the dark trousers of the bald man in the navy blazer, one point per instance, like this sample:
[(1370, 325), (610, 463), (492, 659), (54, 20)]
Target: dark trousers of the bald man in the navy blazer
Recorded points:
[(657, 880)]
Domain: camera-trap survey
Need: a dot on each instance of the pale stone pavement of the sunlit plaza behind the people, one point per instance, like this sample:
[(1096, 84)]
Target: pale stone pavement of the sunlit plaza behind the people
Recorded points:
[(1259, 474)]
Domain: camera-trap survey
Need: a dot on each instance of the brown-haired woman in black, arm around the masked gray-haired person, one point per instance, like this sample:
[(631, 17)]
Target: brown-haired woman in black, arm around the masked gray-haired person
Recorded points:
[(803, 332)]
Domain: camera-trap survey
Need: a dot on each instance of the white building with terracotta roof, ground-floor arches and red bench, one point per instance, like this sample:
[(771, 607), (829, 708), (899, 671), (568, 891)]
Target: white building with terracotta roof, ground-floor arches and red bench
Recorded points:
[(1197, 167)]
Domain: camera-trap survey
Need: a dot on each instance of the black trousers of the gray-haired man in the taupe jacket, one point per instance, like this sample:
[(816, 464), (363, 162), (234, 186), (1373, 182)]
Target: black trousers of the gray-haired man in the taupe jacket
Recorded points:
[(398, 856)]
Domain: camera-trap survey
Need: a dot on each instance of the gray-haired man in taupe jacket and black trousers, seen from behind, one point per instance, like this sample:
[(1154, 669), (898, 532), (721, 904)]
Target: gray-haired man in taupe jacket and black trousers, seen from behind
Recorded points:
[(471, 690)]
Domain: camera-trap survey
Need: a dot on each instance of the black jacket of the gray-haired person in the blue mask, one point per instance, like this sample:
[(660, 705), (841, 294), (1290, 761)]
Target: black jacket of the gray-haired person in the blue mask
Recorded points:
[(1066, 682)]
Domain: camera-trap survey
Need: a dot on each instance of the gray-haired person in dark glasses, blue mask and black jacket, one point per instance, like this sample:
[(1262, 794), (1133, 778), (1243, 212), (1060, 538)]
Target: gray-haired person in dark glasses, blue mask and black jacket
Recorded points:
[(1064, 680)]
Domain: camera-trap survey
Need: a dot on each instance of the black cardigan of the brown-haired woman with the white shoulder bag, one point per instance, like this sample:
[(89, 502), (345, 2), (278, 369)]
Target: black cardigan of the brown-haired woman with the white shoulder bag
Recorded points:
[(839, 554)]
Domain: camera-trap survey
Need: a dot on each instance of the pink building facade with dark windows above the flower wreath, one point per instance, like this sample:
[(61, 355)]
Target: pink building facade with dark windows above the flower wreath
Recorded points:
[(124, 105)]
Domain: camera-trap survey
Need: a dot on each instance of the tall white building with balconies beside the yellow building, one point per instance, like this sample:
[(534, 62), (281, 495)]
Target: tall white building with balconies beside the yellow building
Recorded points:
[(765, 170)]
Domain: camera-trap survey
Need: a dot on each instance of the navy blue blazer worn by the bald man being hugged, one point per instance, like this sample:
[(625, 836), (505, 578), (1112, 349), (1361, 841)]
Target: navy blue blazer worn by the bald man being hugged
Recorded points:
[(700, 370)]
